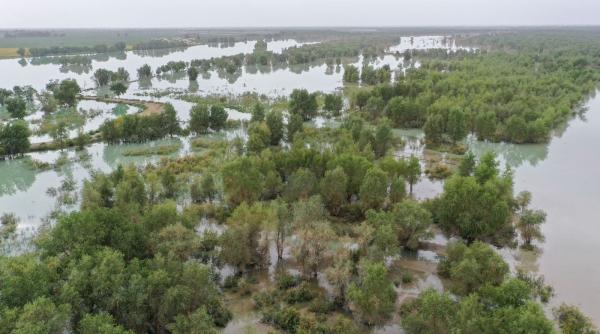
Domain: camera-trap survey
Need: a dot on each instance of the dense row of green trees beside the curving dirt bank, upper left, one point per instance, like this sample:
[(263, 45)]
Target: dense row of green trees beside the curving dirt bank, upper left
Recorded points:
[(139, 128)]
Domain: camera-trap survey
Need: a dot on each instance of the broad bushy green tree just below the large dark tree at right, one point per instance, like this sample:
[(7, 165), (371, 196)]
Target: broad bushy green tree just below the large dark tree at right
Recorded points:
[(472, 267)]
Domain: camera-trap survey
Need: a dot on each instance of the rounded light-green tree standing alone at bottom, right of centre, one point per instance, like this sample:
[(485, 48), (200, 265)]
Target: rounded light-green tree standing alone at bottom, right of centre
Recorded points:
[(373, 297)]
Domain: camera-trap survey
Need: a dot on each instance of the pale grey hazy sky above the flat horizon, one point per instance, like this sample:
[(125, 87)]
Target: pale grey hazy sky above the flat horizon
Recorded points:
[(266, 13)]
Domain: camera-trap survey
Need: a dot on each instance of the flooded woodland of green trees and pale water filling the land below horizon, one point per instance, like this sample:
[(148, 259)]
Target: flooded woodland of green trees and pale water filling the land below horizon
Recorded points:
[(301, 255)]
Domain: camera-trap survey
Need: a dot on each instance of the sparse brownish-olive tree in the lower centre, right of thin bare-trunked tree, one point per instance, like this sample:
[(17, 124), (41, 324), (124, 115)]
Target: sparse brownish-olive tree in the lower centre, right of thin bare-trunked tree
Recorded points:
[(312, 247)]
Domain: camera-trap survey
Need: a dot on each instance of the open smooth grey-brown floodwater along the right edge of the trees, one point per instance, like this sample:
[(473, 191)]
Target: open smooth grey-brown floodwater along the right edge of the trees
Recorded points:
[(563, 177)]
